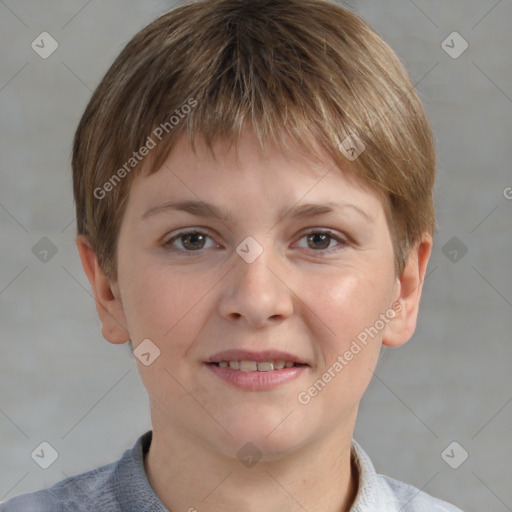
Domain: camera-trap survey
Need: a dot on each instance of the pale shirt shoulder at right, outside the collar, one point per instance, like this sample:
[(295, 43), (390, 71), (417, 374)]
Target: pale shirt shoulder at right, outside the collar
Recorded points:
[(413, 499)]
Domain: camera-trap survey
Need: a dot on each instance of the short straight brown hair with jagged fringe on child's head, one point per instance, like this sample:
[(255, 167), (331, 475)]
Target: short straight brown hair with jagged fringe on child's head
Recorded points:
[(305, 68)]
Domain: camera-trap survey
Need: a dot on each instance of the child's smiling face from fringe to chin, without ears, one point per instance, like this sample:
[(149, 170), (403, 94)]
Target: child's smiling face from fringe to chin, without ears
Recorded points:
[(265, 285)]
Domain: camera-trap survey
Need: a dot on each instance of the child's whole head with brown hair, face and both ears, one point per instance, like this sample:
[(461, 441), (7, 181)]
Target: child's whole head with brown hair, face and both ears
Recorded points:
[(254, 108)]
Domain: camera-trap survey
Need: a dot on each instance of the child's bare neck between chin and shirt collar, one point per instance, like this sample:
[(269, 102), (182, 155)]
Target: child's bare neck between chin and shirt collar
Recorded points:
[(187, 476)]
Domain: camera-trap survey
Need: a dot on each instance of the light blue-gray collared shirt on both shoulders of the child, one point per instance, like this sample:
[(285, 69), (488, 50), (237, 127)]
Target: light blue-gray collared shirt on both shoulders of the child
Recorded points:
[(123, 486)]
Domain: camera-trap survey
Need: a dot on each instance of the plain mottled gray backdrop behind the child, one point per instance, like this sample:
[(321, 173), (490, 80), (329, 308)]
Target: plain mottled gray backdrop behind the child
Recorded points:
[(60, 382)]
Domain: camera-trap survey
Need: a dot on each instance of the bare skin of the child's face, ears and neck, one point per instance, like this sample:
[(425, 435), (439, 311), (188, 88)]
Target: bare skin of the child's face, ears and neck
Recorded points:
[(306, 297)]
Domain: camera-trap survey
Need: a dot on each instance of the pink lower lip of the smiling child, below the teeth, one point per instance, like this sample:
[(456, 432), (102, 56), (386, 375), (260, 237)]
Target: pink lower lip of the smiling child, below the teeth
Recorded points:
[(257, 381)]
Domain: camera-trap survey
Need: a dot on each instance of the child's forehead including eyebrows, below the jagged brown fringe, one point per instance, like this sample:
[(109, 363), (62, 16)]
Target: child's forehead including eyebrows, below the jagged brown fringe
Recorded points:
[(231, 185)]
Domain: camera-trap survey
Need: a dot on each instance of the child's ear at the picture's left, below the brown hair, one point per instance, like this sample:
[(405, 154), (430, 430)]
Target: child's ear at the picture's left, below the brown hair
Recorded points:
[(106, 295)]
